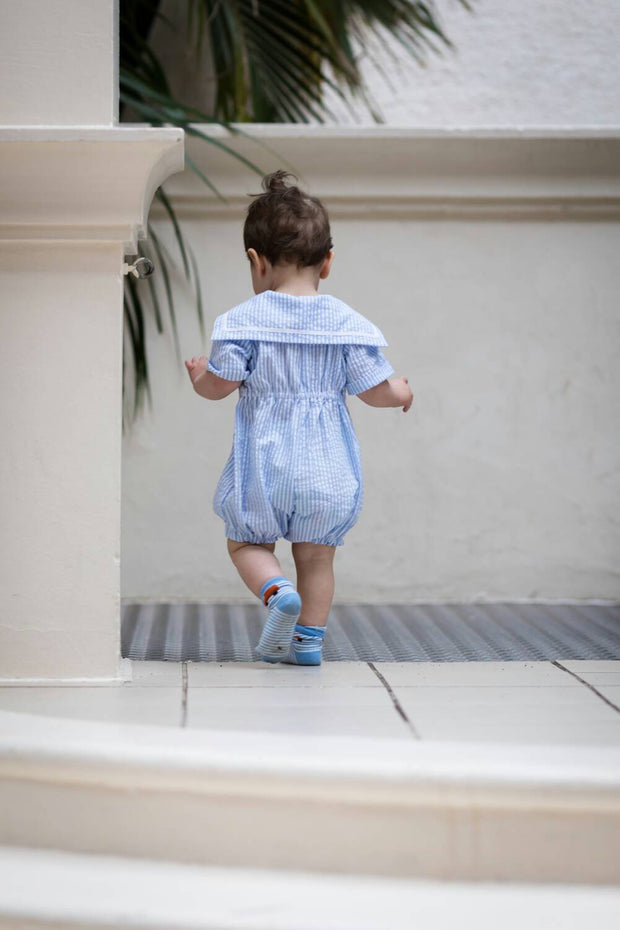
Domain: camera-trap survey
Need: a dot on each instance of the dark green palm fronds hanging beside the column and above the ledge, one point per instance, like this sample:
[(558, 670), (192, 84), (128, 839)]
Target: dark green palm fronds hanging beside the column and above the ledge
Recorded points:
[(269, 59)]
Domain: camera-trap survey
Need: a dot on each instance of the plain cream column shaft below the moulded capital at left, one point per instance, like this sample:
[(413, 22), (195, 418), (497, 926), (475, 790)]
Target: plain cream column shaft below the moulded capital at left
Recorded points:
[(59, 467)]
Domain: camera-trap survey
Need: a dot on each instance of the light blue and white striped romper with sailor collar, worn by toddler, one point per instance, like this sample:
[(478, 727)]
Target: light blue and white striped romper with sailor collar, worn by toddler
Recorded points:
[(294, 471)]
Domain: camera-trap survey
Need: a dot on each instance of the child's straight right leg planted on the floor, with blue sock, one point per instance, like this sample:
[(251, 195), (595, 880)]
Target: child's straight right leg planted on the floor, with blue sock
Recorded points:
[(315, 583)]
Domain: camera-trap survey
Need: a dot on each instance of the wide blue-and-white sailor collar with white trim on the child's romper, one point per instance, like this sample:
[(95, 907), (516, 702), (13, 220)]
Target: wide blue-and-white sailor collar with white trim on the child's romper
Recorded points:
[(315, 320)]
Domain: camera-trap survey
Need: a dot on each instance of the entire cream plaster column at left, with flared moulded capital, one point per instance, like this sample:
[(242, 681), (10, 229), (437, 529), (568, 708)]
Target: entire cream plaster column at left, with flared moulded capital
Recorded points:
[(75, 191)]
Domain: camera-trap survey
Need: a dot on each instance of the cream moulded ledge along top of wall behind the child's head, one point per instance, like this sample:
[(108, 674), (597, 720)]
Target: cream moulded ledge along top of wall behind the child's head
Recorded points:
[(395, 171)]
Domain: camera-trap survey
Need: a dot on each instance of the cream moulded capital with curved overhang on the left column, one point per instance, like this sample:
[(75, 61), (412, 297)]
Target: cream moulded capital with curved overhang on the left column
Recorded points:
[(77, 183)]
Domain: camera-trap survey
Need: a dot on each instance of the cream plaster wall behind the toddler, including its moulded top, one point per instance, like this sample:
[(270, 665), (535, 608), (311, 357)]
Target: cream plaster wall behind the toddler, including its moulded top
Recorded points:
[(496, 288)]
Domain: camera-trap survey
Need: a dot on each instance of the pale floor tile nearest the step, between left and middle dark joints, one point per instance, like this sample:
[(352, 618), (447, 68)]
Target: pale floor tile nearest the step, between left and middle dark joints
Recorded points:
[(374, 722)]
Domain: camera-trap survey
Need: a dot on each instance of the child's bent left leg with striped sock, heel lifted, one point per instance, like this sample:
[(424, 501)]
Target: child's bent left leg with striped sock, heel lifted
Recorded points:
[(261, 571)]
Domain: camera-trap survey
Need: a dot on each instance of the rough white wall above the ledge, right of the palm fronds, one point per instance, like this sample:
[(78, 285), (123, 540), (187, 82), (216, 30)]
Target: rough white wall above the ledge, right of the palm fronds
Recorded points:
[(550, 63)]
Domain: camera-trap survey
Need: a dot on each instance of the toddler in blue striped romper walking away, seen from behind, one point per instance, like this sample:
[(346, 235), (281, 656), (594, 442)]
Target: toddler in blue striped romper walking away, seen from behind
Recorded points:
[(294, 469)]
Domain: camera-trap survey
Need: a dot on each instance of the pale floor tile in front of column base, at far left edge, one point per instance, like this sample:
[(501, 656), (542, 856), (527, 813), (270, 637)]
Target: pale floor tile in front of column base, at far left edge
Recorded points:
[(159, 706)]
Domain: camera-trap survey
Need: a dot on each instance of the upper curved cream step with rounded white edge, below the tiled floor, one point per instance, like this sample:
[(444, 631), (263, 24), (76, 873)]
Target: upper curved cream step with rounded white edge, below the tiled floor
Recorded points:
[(394, 808)]
